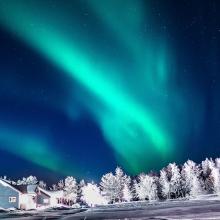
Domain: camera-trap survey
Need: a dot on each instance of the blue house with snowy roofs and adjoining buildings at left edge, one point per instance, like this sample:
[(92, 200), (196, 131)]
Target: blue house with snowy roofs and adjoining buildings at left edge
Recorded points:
[(27, 197)]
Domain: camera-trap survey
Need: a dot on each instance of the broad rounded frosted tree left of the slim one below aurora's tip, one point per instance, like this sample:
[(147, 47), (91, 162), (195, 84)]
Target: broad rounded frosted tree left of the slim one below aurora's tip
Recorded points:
[(146, 187)]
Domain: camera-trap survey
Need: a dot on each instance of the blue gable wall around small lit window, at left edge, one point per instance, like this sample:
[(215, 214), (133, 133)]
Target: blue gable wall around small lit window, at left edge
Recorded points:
[(5, 193)]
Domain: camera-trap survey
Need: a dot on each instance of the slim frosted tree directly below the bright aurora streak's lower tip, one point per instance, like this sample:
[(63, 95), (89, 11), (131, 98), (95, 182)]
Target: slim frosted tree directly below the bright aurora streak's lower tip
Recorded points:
[(164, 184)]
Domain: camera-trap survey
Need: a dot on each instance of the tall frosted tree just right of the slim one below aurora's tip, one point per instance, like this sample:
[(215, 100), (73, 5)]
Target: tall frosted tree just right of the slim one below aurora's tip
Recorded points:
[(174, 178)]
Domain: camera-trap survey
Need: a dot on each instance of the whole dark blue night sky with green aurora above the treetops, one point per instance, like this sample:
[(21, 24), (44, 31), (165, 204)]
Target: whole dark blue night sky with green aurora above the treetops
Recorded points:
[(87, 85)]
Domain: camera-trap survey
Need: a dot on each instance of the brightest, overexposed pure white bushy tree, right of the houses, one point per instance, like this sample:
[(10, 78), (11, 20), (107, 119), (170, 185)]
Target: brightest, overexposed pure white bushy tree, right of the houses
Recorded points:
[(91, 195)]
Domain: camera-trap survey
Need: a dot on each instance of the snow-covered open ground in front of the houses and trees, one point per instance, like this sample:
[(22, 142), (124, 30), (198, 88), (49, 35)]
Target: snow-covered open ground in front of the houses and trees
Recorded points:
[(207, 207)]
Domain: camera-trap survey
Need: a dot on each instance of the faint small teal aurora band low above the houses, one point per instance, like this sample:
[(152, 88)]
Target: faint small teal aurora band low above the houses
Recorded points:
[(32, 148)]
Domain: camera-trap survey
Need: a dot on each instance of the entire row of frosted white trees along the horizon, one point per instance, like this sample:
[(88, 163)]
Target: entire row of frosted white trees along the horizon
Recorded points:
[(172, 182)]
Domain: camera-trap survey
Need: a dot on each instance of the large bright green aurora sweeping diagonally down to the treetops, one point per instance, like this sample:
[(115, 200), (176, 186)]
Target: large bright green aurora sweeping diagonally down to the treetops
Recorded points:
[(133, 114)]
